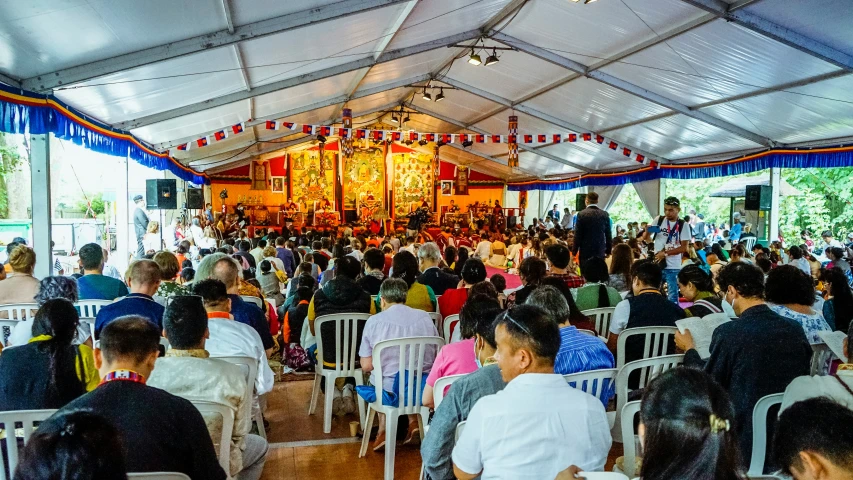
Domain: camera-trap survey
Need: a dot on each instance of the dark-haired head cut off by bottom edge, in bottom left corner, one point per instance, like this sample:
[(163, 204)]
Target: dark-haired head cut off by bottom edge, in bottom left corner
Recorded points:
[(77, 445)]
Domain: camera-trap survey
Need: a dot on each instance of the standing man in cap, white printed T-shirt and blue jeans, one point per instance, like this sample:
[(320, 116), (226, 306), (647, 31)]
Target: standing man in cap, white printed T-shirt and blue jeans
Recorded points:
[(671, 239)]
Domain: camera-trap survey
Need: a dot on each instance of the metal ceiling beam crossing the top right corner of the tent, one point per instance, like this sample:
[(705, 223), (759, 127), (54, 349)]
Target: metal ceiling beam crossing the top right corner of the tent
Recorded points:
[(781, 34)]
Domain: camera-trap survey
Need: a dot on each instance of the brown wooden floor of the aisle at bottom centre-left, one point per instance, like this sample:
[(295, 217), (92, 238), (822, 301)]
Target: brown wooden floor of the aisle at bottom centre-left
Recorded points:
[(300, 450)]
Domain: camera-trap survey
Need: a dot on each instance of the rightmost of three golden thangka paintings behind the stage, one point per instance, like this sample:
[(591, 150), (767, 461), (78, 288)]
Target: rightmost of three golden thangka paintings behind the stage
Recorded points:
[(413, 181)]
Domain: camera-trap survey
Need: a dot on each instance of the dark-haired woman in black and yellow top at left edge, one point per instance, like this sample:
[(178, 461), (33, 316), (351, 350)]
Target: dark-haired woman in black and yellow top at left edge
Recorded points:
[(49, 371)]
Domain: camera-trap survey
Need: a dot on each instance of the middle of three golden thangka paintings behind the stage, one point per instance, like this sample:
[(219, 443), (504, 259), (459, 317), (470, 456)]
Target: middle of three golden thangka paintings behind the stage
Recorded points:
[(364, 182)]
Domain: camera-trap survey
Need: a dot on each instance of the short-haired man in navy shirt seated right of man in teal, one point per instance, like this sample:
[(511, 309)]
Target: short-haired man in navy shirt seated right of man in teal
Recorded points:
[(143, 280)]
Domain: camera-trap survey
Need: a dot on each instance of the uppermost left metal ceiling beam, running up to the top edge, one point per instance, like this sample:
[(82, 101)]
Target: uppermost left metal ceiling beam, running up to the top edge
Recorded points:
[(201, 43)]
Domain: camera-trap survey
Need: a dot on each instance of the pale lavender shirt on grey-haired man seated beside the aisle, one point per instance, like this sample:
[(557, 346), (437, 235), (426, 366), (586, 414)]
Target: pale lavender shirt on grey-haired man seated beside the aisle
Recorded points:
[(397, 321)]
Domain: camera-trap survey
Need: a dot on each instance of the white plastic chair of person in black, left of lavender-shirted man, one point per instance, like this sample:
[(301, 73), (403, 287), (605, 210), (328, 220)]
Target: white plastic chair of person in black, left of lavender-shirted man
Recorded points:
[(347, 343)]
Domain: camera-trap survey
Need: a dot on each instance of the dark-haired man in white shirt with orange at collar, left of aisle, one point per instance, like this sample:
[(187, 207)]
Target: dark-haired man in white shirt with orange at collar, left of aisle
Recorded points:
[(230, 338)]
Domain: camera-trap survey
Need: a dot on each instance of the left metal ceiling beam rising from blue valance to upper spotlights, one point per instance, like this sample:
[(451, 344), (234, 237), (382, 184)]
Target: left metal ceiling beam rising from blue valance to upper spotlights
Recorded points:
[(298, 80)]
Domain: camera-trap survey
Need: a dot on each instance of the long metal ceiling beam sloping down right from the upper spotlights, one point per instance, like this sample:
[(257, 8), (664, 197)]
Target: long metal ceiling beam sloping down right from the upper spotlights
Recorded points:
[(628, 87)]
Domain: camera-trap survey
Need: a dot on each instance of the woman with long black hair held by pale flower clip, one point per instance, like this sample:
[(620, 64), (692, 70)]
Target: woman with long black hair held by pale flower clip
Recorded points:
[(686, 429)]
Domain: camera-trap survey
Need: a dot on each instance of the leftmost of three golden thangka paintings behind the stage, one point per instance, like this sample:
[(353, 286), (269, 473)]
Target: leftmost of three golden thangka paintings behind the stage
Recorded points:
[(309, 182)]
